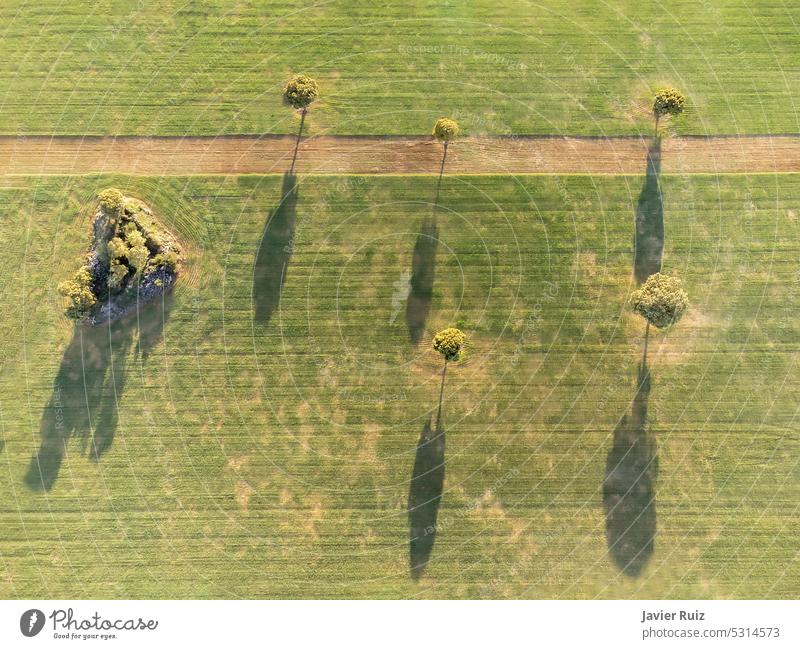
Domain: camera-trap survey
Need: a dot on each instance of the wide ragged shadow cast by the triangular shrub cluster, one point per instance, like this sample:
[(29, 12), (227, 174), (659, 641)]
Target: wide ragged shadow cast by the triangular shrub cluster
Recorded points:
[(84, 402)]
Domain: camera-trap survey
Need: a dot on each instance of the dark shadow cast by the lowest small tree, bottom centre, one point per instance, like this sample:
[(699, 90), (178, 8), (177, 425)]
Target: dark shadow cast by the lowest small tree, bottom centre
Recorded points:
[(424, 497)]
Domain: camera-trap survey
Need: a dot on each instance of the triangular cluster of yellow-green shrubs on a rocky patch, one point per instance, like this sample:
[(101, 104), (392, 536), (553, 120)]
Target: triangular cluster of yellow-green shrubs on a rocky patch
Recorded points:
[(129, 250)]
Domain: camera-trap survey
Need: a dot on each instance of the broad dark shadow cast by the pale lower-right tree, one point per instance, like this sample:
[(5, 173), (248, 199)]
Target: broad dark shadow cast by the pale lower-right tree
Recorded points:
[(629, 486)]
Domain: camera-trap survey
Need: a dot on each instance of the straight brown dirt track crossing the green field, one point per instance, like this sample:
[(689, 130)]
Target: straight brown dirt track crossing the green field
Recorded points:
[(250, 154)]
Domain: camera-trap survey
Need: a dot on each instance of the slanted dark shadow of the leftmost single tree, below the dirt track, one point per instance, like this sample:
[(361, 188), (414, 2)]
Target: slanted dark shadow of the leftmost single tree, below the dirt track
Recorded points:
[(274, 252)]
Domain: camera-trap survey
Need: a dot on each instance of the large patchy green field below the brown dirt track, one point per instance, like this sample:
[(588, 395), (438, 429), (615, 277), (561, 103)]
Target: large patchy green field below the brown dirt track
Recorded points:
[(259, 444)]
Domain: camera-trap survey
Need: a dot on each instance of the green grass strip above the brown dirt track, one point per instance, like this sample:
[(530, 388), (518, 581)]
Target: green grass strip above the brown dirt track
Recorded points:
[(184, 67)]
